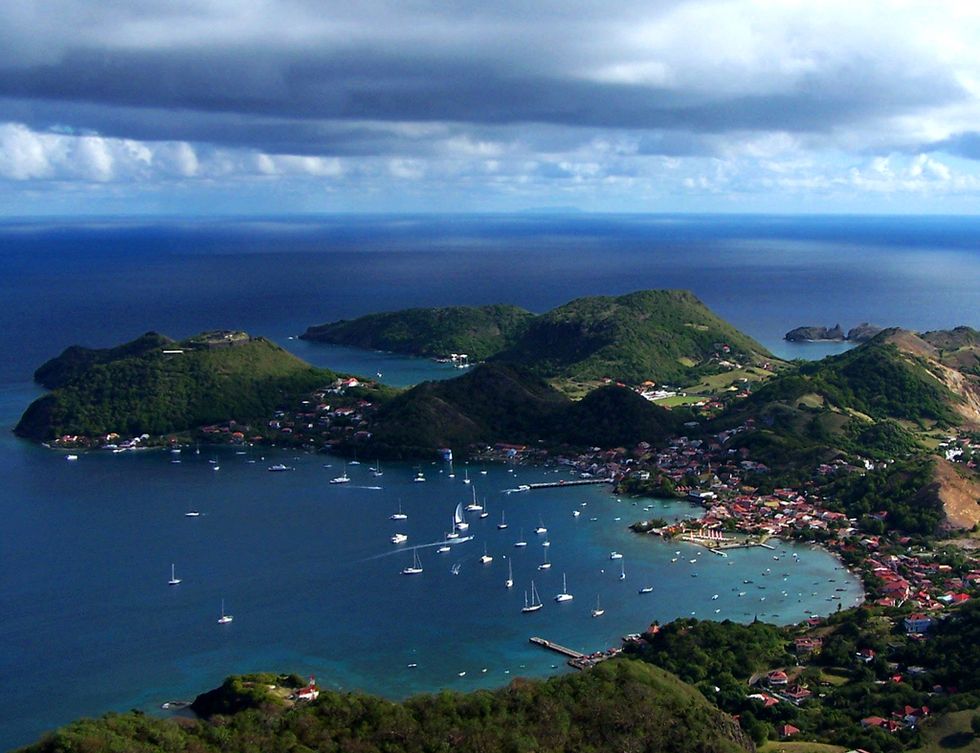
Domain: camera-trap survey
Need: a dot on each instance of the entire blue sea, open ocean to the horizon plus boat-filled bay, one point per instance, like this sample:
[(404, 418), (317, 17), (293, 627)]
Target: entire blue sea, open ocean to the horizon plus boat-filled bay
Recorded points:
[(307, 568)]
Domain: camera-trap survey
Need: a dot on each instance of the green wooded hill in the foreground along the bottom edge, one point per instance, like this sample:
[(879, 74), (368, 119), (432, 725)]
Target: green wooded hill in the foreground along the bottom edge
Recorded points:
[(618, 706)]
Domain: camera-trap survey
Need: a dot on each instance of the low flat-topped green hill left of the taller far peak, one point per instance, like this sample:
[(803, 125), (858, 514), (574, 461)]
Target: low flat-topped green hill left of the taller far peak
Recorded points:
[(477, 331)]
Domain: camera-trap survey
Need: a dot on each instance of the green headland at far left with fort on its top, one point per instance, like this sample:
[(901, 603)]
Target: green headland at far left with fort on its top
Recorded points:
[(139, 388)]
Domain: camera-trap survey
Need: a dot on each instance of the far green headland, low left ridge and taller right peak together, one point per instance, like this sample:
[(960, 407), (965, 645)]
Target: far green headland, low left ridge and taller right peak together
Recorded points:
[(660, 335)]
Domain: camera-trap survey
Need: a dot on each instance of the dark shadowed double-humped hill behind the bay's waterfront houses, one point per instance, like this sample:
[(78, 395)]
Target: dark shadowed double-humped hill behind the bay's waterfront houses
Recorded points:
[(498, 402)]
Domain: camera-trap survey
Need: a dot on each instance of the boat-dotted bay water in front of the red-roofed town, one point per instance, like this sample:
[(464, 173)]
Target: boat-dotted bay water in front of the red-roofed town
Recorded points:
[(314, 584)]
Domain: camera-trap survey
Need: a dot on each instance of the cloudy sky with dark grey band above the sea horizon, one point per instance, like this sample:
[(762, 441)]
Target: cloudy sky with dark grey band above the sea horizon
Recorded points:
[(199, 107)]
